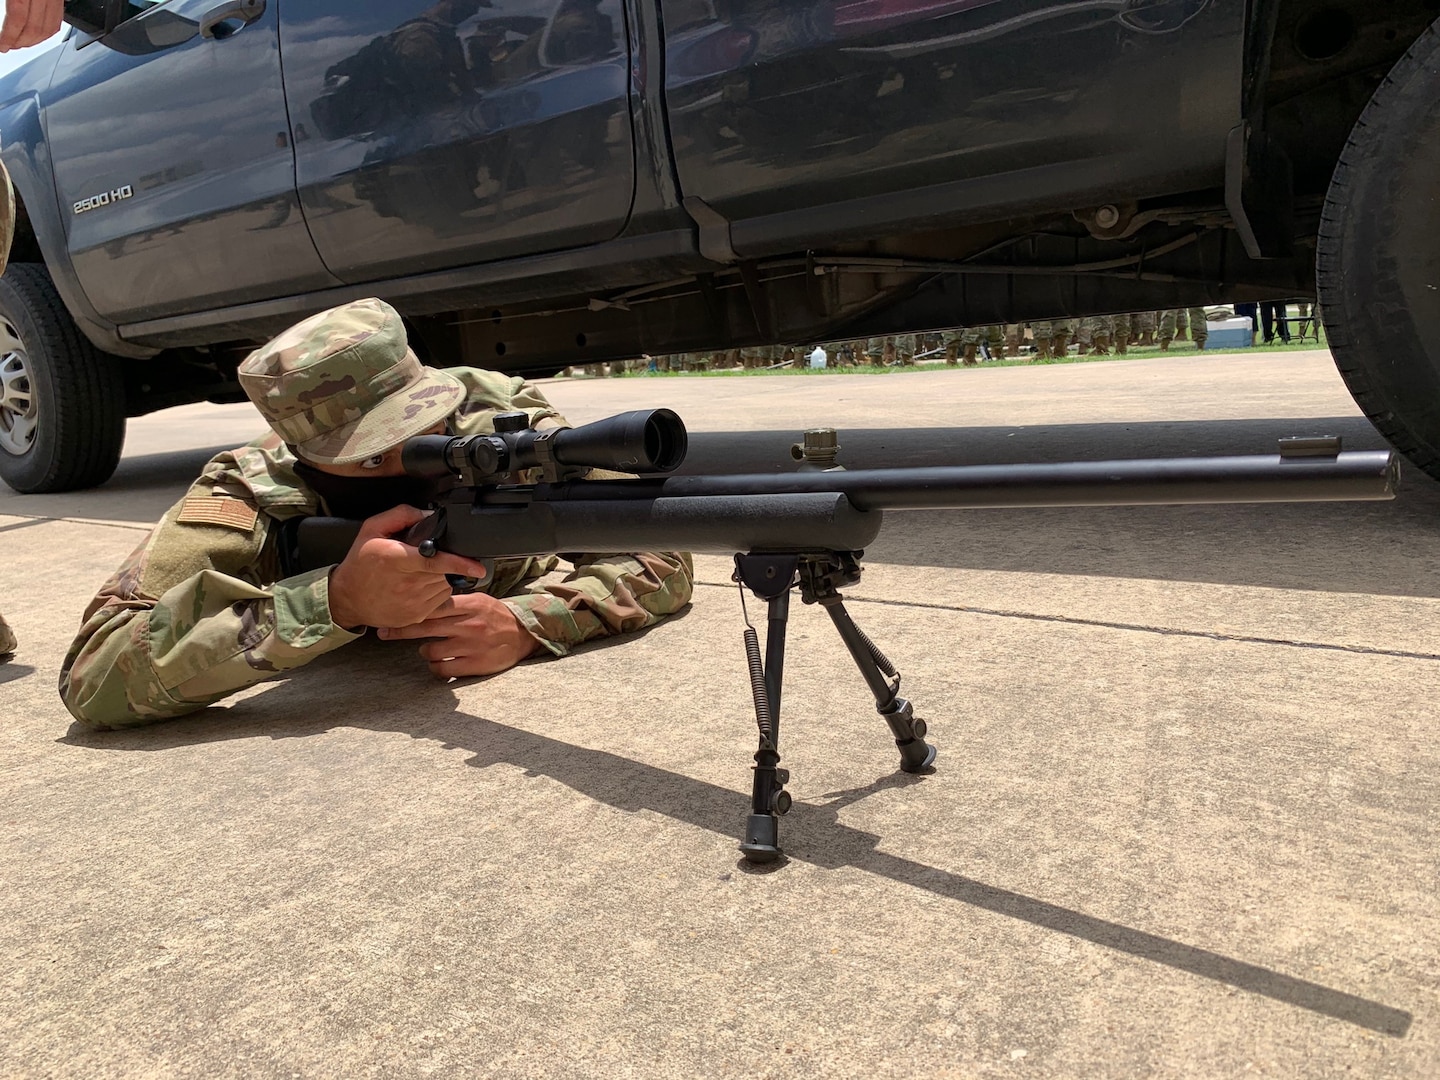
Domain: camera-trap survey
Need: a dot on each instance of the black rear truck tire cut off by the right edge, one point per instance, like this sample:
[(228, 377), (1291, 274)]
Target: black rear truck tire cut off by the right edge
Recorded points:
[(1379, 257)]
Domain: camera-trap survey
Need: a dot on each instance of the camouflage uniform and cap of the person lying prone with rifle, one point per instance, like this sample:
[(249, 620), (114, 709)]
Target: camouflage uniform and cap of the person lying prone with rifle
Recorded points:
[(201, 611)]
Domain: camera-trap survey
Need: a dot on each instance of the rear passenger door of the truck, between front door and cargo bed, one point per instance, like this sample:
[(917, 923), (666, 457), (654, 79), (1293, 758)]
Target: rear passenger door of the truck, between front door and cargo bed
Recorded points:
[(434, 135)]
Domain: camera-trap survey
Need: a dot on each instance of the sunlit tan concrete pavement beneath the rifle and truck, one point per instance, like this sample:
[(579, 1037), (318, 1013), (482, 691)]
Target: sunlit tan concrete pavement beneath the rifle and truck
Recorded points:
[(1182, 826)]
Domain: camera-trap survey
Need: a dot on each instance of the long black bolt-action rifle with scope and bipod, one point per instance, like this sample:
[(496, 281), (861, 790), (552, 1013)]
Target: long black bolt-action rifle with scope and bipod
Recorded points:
[(790, 532)]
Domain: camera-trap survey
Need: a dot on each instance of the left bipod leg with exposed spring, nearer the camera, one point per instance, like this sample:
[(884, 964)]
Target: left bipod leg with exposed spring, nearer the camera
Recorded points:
[(771, 578)]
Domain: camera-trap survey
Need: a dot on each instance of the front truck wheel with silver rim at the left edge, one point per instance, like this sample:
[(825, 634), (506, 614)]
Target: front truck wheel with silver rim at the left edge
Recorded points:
[(63, 402)]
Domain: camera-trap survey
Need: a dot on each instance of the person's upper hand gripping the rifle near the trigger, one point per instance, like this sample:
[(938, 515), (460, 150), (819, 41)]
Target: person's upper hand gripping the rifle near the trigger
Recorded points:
[(385, 582)]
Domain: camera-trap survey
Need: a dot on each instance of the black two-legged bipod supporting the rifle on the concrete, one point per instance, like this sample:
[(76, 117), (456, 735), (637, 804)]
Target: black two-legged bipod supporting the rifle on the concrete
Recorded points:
[(819, 578)]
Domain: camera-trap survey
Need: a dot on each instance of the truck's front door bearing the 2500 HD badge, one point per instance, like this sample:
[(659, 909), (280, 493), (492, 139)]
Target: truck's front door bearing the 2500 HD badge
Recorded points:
[(174, 162)]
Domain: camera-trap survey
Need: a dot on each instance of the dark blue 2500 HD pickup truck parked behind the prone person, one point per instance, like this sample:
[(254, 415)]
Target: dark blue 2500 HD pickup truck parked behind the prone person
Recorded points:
[(536, 184)]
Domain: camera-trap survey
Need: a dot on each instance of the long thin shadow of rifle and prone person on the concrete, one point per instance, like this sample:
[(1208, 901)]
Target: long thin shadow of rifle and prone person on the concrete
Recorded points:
[(813, 832)]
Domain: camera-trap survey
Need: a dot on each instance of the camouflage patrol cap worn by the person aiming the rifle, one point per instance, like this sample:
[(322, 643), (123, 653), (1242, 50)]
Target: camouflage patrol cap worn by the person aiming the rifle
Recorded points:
[(343, 385)]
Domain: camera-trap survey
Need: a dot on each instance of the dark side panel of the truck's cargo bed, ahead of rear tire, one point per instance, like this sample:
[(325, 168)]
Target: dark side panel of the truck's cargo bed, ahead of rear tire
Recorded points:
[(924, 109)]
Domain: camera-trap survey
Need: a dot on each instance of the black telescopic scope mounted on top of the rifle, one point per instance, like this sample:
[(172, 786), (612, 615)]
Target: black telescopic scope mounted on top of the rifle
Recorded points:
[(640, 441)]
